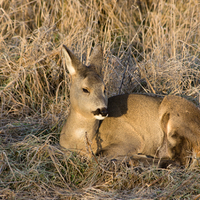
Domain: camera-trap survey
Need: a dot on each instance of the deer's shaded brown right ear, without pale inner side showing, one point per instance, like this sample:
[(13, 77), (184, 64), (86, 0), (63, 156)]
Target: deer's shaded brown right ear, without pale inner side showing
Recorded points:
[(96, 59)]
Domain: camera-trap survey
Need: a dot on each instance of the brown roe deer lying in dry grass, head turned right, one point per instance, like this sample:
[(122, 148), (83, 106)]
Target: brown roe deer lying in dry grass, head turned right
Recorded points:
[(166, 127)]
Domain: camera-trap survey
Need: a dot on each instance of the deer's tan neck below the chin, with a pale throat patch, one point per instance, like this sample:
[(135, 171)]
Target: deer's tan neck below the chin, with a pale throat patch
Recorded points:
[(80, 126)]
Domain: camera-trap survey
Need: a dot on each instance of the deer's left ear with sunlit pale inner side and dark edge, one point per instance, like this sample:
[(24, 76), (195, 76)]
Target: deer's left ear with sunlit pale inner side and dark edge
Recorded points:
[(71, 61)]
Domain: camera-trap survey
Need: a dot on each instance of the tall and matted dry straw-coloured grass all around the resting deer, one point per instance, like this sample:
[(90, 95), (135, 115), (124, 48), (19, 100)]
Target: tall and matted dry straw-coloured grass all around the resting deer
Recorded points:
[(149, 47)]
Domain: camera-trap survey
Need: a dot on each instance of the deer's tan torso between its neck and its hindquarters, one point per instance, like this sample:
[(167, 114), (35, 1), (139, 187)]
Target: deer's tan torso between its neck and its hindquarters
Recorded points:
[(131, 131)]
